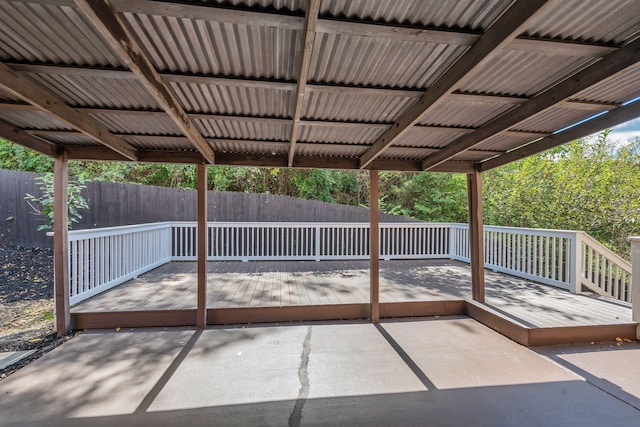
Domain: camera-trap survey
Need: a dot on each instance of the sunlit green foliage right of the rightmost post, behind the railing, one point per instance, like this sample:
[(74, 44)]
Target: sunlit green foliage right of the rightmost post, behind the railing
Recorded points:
[(584, 185)]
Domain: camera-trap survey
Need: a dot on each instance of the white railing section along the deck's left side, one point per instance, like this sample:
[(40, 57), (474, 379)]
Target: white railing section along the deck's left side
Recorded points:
[(102, 258)]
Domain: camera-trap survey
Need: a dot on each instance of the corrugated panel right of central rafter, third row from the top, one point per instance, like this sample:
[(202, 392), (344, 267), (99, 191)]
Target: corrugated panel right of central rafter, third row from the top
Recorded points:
[(365, 108)]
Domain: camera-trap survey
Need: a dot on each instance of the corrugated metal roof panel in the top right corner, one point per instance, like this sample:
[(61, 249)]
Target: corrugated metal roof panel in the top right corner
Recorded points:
[(614, 21)]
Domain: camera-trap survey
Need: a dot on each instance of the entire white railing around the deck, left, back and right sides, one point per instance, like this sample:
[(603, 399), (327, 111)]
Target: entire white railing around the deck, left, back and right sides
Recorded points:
[(102, 258)]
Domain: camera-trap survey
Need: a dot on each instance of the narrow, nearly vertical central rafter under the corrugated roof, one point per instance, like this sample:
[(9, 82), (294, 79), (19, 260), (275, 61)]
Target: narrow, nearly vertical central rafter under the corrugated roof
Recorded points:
[(308, 38)]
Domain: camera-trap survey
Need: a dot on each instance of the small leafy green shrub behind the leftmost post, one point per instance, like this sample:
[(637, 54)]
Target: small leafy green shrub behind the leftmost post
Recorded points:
[(43, 205)]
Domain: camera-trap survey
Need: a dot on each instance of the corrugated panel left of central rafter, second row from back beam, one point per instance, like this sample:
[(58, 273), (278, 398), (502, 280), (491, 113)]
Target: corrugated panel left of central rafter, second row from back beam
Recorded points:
[(243, 130)]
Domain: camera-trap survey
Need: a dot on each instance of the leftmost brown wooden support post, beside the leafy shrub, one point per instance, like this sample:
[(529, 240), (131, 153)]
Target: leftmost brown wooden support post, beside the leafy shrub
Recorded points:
[(61, 244)]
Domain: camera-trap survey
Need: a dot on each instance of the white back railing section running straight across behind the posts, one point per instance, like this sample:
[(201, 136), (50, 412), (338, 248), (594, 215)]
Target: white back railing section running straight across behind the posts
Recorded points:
[(233, 241)]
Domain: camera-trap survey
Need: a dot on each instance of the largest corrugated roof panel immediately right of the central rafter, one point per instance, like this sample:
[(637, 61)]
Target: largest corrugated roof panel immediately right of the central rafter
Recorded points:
[(367, 61)]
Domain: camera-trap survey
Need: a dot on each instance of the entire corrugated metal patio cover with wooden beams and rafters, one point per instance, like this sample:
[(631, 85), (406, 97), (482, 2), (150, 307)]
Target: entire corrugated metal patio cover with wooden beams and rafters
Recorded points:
[(391, 85)]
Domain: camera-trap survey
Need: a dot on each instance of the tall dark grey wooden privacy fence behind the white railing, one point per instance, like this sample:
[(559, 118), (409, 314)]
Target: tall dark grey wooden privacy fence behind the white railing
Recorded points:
[(113, 204)]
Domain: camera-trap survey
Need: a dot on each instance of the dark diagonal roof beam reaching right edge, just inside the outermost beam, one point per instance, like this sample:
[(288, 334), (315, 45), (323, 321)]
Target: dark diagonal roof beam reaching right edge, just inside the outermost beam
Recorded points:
[(608, 66)]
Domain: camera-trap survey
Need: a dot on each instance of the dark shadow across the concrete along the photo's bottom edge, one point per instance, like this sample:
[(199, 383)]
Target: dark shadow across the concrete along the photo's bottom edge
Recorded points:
[(568, 403)]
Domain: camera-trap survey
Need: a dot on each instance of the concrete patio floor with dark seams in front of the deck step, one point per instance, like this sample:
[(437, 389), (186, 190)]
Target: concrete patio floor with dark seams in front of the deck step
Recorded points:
[(445, 371)]
